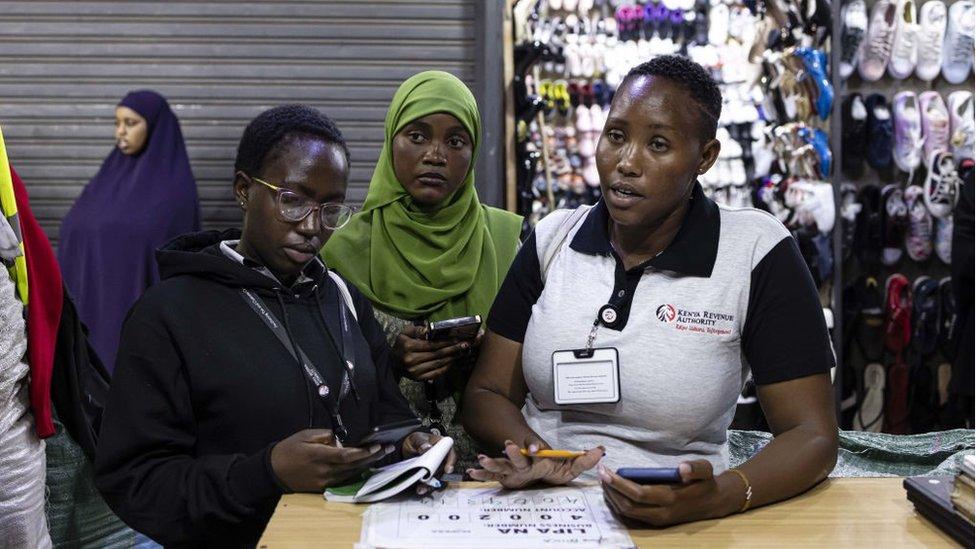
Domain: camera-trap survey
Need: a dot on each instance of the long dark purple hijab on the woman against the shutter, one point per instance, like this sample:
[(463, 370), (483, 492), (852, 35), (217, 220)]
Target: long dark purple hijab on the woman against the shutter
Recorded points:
[(133, 205)]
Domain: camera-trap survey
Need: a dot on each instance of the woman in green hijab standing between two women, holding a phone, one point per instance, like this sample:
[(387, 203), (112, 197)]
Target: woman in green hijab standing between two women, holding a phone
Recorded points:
[(424, 248)]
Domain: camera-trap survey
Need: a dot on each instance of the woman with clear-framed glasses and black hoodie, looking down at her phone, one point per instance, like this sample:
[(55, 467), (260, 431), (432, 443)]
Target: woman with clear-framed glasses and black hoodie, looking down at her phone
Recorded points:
[(242, 373)]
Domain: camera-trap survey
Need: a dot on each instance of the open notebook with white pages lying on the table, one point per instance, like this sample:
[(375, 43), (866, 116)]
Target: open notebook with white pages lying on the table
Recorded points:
[(392, 479)]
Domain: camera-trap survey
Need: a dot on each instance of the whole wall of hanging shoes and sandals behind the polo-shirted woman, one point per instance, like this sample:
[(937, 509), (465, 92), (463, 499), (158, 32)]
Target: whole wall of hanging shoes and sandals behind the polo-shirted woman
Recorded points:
[(863, 166)]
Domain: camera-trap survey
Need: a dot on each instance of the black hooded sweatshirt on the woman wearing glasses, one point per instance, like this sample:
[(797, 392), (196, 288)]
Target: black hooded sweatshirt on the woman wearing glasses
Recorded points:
[(203, 389)]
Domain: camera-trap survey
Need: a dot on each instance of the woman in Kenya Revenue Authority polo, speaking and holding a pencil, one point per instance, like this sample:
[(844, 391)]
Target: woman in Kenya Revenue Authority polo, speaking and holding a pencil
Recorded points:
[(630, 328)]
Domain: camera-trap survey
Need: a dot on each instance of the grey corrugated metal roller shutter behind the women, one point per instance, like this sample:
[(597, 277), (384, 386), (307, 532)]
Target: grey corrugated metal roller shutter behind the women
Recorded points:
[(65, 65)]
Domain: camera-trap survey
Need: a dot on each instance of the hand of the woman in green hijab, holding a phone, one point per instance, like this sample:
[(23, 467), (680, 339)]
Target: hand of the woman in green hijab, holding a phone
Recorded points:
[(426, 360)]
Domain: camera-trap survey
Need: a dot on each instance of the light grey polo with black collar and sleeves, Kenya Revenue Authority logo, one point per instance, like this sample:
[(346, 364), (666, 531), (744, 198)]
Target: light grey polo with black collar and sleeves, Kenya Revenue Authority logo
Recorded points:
[(731, 294)]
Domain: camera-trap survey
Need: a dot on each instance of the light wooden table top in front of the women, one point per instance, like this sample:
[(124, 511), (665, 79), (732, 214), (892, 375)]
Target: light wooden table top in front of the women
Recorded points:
[(870, 512)]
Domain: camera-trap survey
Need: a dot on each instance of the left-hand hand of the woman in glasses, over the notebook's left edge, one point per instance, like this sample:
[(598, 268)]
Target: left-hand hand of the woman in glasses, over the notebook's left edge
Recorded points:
[(311, 460)]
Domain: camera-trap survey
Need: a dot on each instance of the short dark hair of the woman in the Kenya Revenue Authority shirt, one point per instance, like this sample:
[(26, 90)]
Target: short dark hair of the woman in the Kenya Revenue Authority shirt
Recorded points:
[(694, 79)]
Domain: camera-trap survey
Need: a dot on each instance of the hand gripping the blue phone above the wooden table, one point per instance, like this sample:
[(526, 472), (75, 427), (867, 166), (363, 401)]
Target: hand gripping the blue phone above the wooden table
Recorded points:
[(700, 496)]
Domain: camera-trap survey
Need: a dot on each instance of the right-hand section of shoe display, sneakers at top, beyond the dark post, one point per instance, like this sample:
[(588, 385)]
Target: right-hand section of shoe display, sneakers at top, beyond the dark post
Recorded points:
[(907, 121)]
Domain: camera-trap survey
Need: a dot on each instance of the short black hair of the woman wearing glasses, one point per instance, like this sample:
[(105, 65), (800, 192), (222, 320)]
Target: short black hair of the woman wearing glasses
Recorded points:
[(264, 136)]
